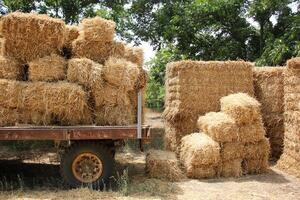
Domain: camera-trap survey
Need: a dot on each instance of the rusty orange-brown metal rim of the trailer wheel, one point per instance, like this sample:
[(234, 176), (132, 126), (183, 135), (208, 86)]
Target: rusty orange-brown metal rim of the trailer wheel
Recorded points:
[(87, 167)]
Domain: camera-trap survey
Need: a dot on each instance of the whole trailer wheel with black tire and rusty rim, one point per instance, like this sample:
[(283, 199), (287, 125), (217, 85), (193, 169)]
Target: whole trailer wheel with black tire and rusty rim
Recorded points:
[(87, 164)]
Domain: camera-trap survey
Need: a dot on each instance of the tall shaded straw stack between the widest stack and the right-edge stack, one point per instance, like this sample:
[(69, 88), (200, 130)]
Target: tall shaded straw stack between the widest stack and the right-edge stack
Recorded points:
[(269, 90)]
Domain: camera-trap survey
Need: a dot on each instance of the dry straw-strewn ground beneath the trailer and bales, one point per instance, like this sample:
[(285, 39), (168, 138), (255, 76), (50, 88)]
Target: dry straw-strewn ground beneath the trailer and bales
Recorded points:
[(36, 179)]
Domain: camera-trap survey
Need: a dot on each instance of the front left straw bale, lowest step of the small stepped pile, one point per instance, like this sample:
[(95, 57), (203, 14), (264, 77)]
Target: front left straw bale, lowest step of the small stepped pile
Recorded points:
[(199, 155)]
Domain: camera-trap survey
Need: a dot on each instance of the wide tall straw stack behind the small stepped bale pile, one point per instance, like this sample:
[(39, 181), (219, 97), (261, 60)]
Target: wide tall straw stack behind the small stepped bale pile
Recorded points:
[(195, 87)]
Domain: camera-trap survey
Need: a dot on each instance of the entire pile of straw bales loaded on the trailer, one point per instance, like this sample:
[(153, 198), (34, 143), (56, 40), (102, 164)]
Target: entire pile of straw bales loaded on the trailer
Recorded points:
[(47, 88)]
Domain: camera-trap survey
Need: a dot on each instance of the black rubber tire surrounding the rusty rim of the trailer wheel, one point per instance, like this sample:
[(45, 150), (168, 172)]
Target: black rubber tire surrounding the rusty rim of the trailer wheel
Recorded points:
[(99, 150)]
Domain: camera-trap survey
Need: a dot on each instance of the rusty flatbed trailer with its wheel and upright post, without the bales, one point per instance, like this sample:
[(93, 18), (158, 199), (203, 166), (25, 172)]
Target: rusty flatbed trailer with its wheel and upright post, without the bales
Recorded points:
[(87, 157)]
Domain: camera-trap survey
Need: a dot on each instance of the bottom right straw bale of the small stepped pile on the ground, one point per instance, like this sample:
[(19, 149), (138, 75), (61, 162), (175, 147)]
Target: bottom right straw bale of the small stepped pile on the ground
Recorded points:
[(256, 165)]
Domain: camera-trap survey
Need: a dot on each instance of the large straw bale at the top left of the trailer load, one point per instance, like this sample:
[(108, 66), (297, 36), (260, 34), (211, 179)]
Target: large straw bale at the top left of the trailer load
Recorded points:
[(28, 36)]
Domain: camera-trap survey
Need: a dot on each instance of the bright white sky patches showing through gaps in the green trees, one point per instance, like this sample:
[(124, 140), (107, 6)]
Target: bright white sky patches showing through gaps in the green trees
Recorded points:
[(149, 53)]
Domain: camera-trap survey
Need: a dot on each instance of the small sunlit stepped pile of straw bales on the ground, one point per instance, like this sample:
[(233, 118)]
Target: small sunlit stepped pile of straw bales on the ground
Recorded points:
[(232, 141)]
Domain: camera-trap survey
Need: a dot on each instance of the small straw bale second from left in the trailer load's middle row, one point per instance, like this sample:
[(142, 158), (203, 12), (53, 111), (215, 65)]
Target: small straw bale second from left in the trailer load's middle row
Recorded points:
[(49, 68)]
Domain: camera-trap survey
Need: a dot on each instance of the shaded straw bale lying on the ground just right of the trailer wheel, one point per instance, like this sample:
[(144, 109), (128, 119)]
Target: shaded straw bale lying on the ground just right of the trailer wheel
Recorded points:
[(163, 165)]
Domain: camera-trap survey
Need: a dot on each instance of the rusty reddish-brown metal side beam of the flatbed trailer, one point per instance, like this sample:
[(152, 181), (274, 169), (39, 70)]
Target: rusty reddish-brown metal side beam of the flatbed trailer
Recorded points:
[(66, 133)]
